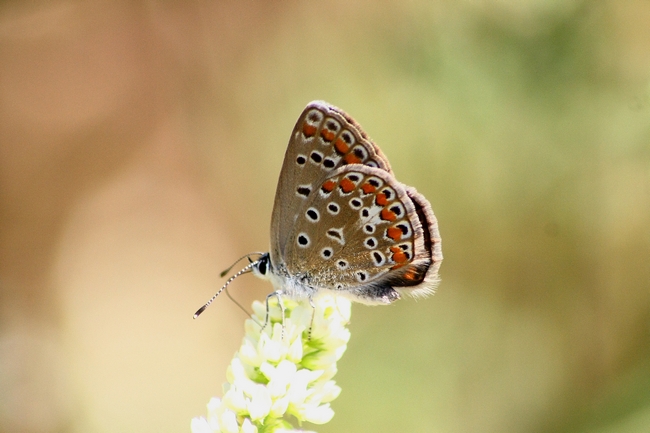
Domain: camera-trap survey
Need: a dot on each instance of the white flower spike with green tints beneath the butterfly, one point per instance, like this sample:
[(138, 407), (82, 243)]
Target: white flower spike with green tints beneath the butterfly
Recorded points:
[(282, 375)]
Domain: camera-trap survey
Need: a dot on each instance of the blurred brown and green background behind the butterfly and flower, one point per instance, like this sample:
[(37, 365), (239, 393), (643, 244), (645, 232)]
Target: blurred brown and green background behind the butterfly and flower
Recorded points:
[(140, 145)]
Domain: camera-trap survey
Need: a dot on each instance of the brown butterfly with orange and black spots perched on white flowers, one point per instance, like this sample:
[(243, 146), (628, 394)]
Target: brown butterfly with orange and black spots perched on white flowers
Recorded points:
[(342, 223)]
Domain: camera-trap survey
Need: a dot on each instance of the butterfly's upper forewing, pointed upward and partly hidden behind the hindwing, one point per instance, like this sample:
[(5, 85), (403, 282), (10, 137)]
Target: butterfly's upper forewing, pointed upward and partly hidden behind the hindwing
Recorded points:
[(324, 139)]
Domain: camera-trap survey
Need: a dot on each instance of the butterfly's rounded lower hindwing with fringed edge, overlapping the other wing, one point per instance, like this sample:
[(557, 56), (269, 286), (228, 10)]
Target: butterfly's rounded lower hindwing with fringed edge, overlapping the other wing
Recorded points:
[(366, 235)]
